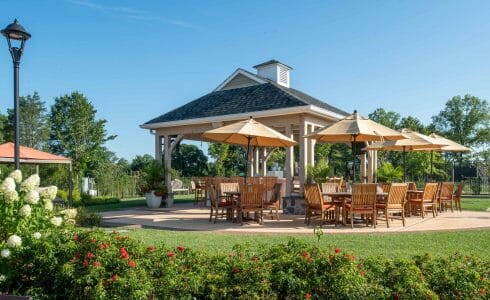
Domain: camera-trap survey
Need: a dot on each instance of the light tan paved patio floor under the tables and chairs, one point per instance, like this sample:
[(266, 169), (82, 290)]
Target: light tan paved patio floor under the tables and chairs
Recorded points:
[(186, 217)]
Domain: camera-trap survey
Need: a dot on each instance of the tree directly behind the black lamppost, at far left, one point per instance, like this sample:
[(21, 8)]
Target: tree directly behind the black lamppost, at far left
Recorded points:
[(34, 122)]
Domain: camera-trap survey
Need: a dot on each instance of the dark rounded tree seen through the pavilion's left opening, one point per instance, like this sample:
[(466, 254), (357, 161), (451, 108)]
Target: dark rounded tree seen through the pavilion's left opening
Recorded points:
[(190, 161)]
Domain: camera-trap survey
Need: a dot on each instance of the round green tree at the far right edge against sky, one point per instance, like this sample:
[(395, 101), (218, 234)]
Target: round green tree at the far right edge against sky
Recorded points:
[(465, 120)]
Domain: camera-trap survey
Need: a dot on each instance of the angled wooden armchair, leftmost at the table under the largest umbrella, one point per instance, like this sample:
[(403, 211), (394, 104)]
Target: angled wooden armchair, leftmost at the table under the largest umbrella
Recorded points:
[(314, 204)]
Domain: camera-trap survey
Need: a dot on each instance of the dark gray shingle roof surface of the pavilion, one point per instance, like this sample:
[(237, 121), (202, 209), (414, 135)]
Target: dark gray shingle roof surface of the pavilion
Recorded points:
[(259, 97)]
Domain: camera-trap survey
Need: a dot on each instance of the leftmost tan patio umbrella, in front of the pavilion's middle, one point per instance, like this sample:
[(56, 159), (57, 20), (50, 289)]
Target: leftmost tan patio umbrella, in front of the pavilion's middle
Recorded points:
[(249, 133)]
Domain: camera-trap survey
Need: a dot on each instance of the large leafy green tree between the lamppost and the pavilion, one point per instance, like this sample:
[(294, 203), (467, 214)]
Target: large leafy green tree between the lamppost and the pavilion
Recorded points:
[(75, 132)]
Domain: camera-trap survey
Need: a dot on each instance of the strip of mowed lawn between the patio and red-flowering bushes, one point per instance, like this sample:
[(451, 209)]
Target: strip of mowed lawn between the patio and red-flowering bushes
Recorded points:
[(469, 242)]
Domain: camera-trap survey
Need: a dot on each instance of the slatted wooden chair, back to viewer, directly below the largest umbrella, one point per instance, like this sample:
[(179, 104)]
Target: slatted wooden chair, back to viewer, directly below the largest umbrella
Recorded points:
[(363, 202)]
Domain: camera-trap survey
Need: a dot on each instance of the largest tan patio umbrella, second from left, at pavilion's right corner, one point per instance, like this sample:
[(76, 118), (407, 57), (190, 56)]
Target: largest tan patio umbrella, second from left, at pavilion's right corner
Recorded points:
[(355, 128)]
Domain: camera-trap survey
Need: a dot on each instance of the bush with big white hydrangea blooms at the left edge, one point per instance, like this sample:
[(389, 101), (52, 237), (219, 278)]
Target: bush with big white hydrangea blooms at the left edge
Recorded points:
[(28, 216)]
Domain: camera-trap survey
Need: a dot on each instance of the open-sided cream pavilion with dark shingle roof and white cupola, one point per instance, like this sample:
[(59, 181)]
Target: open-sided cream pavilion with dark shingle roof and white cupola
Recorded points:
[(265, 96)]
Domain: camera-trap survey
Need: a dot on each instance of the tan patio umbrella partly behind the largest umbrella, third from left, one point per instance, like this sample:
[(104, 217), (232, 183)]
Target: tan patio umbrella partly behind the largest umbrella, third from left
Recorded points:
[(414, 141)]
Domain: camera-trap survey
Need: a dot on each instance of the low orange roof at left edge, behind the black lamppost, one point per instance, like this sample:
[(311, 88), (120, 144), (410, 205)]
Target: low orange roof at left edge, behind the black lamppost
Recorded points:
[(29, 155)]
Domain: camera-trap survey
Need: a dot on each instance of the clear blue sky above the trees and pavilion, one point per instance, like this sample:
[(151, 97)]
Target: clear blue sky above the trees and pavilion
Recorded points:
[(135, 60)]
